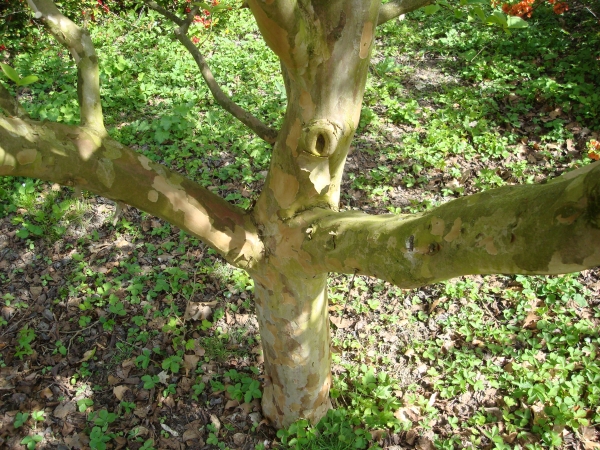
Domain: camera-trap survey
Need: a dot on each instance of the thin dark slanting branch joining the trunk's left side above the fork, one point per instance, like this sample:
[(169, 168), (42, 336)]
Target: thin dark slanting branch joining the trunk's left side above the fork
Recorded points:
[(263, 131)]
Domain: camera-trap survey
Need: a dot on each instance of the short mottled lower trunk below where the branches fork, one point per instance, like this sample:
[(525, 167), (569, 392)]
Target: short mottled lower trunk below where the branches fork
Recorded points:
[(292, 312)]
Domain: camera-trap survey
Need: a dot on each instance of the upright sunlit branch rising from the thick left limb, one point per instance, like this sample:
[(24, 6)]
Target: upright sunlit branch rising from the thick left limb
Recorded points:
[(79, 43)]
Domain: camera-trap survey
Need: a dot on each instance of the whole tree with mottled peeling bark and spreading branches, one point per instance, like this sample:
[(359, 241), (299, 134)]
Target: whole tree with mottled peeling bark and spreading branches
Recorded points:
[(295, 234)]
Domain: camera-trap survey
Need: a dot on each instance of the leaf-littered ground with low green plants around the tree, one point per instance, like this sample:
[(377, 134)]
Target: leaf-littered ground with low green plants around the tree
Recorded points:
[(137, 335)]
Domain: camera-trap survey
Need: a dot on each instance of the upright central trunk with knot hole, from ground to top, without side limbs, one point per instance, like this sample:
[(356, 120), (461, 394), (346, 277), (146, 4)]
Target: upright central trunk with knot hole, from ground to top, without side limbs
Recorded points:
[(324, 50)]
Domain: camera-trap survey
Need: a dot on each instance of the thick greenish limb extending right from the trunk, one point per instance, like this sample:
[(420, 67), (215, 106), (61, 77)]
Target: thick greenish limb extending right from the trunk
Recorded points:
[(532, 229)]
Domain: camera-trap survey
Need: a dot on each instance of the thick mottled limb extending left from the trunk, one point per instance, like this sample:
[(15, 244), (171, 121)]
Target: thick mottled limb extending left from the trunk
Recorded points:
[(78, 156)]
